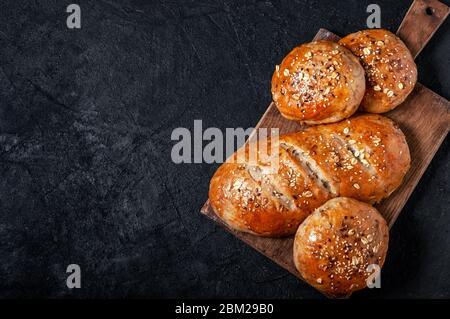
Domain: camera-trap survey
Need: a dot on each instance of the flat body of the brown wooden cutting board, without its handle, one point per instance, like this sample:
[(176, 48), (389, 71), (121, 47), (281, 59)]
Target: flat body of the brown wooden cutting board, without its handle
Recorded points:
[(424, 118)]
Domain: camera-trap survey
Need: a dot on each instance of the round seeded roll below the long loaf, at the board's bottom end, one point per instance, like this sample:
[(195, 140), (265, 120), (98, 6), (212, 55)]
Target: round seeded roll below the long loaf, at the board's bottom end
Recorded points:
[(335, 245)]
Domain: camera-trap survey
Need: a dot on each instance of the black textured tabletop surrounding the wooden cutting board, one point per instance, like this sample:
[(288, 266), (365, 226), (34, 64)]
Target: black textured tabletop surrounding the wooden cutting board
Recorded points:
[(85, 123)]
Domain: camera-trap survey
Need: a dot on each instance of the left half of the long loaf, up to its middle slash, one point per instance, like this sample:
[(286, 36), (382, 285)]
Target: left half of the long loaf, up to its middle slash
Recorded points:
[(251, 198)]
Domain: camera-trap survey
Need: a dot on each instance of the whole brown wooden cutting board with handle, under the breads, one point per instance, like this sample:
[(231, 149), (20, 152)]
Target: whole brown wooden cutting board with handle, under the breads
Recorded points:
[(424, 118)]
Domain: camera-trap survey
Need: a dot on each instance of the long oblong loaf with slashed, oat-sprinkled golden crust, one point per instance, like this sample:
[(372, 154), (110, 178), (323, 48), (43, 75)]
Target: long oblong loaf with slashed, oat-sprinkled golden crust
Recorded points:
[(364, 157)]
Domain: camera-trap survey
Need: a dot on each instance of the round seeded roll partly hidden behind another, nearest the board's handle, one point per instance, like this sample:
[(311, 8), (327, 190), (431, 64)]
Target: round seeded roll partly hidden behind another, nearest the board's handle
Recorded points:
[(391, 73)]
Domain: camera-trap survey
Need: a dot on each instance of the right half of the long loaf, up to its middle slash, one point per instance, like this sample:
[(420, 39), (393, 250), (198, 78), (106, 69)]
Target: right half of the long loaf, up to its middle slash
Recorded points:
[(365, 157)]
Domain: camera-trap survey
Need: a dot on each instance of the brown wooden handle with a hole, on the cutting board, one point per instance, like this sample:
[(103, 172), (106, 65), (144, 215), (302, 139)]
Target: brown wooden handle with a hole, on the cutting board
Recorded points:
[(422, 20)]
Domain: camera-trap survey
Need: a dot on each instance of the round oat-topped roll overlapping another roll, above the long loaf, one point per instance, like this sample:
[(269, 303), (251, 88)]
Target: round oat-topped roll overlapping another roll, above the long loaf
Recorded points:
[(318, 82)]
